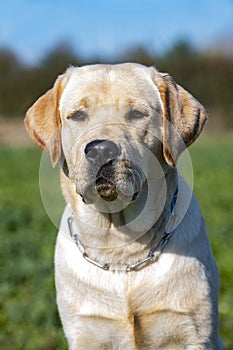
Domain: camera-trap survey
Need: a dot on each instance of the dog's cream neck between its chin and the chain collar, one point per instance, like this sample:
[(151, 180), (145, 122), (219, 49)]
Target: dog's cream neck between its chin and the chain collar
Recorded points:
[(126, 235)]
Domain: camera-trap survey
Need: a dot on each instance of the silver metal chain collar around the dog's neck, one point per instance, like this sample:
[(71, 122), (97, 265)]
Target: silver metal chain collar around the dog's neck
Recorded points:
[(152, 257)]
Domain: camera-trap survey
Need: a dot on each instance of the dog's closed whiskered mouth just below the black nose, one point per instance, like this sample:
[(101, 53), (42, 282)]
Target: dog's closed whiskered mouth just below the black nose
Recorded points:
[(119, 179)]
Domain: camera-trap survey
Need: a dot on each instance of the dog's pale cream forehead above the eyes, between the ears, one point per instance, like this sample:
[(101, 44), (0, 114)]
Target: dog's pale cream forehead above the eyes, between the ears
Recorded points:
[(100, 84)]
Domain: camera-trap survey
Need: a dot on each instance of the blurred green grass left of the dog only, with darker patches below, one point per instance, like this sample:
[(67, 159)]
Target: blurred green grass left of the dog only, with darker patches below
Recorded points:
[(28, 312)]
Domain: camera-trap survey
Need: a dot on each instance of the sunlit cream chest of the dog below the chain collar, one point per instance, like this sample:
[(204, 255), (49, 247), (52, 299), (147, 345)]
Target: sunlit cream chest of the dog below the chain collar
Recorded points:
[(156, 301)]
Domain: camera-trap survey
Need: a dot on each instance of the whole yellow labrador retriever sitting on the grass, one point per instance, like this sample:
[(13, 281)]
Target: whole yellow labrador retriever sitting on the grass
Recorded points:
[(134, 269)]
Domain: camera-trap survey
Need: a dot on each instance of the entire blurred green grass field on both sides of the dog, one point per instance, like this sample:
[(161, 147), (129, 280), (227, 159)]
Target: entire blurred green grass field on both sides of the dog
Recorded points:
[(28, 313)]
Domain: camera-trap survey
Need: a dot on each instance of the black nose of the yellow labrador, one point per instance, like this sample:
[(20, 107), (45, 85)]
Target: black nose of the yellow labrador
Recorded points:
[(102, 151)]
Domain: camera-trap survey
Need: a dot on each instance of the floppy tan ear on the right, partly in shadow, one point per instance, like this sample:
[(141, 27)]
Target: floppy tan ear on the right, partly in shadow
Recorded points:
[(183, 118)]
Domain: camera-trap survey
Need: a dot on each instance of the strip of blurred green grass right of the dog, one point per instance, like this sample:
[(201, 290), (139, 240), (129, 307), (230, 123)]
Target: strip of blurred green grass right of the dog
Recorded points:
[(213, 169)]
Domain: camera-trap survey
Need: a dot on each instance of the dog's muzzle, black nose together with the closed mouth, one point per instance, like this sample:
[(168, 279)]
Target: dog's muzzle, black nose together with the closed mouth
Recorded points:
[(115, 177)]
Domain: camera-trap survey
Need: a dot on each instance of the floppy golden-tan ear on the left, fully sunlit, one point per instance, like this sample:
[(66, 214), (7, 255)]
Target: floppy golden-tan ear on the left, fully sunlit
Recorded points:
[(43, 121)]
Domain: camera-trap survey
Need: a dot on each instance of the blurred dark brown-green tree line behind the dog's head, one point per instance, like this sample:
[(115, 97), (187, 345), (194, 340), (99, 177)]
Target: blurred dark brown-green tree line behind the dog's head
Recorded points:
[(208, 76)]
